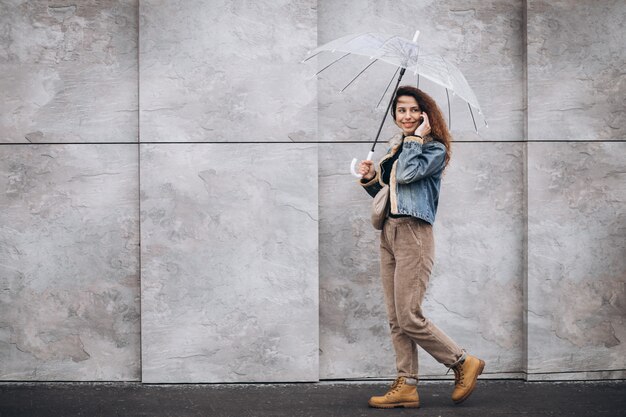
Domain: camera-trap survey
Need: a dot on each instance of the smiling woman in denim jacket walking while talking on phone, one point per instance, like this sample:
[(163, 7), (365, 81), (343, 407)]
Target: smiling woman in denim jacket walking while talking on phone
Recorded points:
[(413, 168)]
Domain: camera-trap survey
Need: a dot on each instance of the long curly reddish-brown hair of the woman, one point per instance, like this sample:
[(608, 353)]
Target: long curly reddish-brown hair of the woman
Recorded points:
[(439, 129)]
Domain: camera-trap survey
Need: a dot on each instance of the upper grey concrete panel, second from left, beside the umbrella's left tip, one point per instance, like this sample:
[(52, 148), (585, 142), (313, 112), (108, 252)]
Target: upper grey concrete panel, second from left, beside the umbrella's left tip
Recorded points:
[(227, 71)]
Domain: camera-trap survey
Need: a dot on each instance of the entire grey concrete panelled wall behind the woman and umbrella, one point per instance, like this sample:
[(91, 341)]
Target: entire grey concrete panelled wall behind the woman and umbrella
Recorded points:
[(192, 128)]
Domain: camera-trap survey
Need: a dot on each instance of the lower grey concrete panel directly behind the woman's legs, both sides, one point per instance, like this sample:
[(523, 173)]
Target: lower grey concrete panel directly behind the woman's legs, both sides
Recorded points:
[(475, 293)]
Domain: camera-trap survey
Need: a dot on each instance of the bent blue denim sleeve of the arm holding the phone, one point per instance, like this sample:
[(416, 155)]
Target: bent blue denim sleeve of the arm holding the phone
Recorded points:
[(418, 161)]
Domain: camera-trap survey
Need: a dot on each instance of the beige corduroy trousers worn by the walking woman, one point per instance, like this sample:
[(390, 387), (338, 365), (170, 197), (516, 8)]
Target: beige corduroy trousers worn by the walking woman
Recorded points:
[(407, 251)]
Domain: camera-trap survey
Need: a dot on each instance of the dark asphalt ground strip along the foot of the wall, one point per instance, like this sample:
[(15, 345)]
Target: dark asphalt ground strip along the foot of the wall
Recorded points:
[(325, 399)]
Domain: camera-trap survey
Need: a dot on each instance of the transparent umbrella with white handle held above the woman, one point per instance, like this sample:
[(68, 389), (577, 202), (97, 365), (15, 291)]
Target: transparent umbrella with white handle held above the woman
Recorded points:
[(405, 55)]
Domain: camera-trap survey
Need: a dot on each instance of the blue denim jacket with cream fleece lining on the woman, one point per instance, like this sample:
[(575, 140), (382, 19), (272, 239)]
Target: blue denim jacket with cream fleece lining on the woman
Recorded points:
[(415, 178)]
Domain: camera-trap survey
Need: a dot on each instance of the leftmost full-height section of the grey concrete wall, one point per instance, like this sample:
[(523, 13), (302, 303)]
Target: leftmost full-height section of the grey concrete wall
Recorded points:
[(69, 207)]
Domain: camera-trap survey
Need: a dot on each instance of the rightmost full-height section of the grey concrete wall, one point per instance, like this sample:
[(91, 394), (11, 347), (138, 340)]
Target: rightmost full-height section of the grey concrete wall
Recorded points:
[(576, 190)]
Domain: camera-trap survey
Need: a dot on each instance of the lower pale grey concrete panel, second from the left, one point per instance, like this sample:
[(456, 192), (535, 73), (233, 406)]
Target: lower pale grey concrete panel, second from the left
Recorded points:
[(229, 262)]
